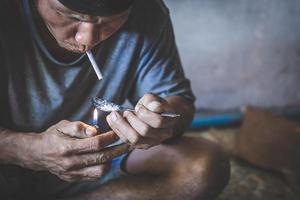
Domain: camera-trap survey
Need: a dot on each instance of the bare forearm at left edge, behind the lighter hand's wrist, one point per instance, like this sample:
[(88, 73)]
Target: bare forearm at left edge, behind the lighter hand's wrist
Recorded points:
[(14, 146)]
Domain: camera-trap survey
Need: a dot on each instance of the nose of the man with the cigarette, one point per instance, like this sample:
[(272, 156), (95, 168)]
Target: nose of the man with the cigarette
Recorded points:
[(87, 34)]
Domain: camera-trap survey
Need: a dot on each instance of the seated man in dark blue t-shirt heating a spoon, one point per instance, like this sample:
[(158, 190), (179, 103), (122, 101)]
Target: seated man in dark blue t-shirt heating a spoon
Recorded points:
[(48, 148)]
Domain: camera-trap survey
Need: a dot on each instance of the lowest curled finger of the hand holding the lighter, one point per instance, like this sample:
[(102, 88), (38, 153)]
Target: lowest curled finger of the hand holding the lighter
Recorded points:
[(90, 173)]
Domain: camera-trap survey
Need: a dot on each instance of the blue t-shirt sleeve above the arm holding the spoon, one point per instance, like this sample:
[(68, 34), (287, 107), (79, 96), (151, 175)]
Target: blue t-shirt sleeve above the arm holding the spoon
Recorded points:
[(160, 70)]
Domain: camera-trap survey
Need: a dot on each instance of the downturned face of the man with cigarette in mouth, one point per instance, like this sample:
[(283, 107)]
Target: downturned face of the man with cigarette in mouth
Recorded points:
[(74, 31)]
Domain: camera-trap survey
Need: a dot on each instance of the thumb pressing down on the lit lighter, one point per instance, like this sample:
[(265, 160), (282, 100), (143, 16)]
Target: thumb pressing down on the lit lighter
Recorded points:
[(77, 129)]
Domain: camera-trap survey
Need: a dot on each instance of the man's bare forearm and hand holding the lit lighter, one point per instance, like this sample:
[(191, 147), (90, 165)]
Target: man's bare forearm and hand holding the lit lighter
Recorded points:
[(70, 150)]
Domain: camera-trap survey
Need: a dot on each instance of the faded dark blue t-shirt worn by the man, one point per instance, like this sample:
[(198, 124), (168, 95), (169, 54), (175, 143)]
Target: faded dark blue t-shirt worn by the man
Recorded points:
[(38, 90)]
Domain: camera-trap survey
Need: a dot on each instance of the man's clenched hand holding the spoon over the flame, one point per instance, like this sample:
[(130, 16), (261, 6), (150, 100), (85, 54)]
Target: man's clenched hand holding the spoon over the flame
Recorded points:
[(144, 128)]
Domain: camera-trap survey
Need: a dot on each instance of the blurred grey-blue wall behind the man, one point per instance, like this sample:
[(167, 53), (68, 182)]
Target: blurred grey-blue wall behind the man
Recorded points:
[(239, 52)]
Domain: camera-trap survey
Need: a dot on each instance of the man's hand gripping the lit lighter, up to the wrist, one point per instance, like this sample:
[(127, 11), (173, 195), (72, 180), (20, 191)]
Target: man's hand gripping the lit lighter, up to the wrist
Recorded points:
[(73, 152)]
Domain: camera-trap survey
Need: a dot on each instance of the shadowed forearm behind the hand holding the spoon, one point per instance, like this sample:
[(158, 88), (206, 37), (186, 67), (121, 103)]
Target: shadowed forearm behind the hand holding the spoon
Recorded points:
[(186, 109)]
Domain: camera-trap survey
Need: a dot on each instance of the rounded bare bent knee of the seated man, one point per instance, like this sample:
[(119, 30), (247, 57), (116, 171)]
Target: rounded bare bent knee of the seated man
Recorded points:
[(206, 168)]
